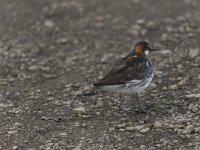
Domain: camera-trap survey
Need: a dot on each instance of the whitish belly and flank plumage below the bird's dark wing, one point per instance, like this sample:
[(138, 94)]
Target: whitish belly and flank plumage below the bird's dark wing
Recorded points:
[(131, 87)]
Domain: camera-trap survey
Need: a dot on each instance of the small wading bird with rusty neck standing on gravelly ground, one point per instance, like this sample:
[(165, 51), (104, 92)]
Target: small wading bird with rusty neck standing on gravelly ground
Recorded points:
[(131, 74)]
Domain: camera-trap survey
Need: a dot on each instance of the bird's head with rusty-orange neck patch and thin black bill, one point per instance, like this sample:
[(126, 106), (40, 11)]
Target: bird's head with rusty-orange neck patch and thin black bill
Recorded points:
[(142, 48)]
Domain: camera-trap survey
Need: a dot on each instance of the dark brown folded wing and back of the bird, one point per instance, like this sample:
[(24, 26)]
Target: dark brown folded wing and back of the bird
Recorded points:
[(129, 68)]
